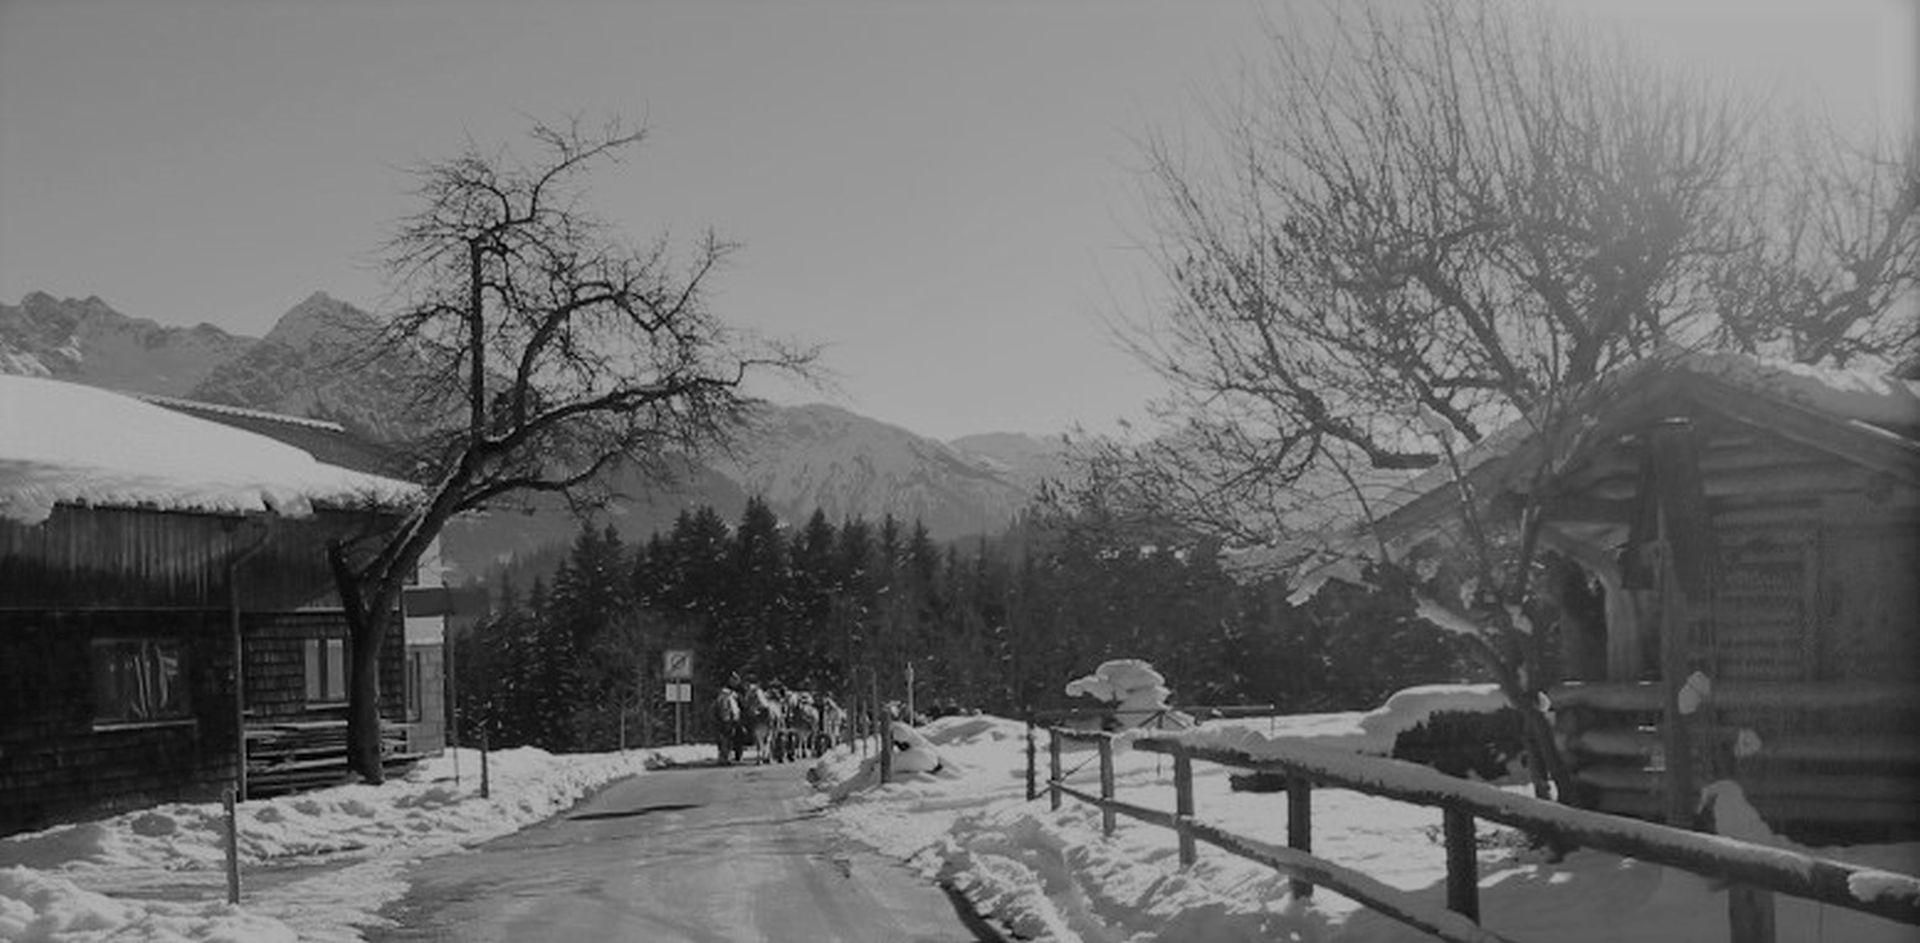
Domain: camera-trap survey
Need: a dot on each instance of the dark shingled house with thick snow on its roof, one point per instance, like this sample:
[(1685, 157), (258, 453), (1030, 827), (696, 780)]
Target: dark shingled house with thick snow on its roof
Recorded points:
[(162, 594)]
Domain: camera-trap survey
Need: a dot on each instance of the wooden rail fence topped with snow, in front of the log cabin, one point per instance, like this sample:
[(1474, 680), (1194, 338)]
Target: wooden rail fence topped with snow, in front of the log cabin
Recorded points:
[(1754, 869)]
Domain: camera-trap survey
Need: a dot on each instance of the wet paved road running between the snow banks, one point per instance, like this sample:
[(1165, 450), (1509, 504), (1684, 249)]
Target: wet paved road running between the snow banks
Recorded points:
[(734, 854)]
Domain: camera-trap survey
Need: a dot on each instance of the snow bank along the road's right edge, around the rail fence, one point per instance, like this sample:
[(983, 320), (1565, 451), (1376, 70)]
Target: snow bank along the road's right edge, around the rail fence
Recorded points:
[(1053, 877)]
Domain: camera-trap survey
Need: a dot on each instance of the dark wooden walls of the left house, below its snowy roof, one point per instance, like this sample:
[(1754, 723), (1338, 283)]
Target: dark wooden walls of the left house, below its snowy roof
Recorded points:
[(135, 573)]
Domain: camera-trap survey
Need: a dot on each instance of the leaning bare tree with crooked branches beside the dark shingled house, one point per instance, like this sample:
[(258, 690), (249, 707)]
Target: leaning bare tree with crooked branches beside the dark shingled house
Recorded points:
[(554, 352)]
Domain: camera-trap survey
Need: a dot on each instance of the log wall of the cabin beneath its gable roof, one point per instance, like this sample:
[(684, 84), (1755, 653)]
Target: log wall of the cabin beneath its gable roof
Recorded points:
[(1813, 596)]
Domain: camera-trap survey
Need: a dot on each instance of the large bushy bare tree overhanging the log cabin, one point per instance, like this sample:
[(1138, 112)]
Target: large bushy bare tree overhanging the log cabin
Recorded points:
[(1431, 224)]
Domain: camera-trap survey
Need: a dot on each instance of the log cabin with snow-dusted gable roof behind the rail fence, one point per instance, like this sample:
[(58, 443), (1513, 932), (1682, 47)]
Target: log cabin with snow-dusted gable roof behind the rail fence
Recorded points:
[(1750, 535)]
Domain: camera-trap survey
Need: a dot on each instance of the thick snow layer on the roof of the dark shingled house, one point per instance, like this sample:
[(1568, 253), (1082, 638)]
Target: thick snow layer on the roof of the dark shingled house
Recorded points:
[(78, 445)]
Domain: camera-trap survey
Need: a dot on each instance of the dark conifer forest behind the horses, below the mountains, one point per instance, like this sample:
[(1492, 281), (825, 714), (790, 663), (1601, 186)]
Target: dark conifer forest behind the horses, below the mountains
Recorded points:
[(853, 608)]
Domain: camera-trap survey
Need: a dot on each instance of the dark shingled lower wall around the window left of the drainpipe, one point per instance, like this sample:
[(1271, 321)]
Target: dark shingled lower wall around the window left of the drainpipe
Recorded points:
[(57, 763)]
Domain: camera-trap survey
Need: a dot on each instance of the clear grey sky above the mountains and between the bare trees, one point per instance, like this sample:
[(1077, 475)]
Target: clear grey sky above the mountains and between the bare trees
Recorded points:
[(944, 193)]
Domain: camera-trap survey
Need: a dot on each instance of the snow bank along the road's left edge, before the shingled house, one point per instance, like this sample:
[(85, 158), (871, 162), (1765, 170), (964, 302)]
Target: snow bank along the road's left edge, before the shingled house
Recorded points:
[(158, 875)]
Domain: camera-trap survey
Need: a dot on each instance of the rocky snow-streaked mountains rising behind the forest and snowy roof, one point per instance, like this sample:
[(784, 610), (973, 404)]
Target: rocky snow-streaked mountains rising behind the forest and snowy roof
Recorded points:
[(800, 458)]
